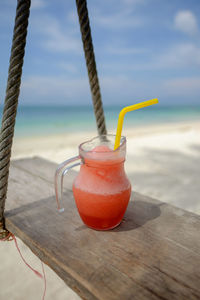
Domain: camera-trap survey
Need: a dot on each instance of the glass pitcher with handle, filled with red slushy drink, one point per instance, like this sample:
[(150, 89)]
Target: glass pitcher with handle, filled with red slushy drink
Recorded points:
[(101, 189)]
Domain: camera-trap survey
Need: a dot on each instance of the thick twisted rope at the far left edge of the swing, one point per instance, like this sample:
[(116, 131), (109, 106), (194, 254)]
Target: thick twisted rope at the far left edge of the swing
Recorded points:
[(11, 100)]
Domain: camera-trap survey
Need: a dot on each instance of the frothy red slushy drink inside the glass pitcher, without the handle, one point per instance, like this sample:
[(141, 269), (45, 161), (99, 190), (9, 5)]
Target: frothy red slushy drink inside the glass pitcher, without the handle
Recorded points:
[(101, 189)]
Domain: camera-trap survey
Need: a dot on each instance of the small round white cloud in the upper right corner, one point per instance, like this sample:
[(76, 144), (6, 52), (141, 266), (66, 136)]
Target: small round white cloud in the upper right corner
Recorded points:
[(186, 22)]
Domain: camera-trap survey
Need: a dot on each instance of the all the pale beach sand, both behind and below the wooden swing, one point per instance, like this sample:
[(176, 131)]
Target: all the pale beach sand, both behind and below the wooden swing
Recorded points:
[(162, 162)]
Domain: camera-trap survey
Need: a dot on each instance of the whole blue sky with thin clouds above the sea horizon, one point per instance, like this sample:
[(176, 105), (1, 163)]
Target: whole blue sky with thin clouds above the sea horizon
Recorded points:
[(143, 48)]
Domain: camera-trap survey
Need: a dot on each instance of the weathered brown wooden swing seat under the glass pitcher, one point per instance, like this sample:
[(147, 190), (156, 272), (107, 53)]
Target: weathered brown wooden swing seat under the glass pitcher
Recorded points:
[(154, 254)]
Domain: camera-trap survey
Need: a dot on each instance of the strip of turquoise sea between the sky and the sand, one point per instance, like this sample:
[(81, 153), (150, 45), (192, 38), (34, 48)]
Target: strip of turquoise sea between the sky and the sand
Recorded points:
[(45, 120)]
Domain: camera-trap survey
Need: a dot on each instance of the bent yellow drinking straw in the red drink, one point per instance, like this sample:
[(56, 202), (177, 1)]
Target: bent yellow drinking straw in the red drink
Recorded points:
[(122, 114)]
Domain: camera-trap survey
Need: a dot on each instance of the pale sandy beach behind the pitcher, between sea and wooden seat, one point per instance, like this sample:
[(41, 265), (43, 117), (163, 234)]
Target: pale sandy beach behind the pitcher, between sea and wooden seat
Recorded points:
[(162, 160)]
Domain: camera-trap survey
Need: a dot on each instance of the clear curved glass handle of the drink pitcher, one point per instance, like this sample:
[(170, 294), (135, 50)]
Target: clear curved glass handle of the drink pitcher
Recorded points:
[(61, 171)]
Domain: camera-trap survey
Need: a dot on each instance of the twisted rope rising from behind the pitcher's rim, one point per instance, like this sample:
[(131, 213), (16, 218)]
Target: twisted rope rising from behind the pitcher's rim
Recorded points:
[(91, 65)]
